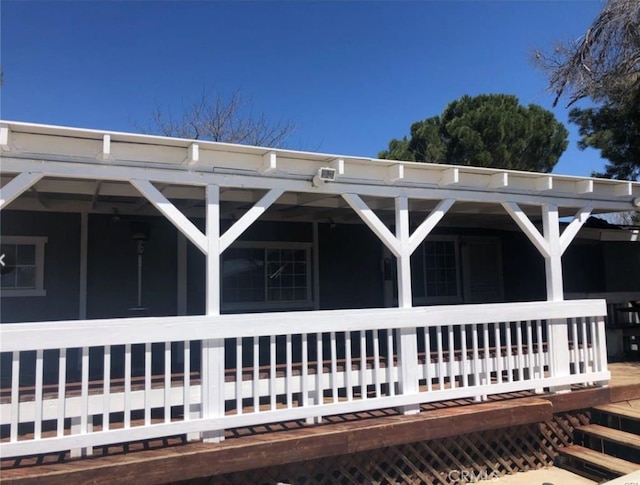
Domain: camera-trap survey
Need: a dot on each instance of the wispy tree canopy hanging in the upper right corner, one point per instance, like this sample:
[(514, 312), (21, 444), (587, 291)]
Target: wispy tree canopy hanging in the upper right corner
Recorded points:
[(604, 65)]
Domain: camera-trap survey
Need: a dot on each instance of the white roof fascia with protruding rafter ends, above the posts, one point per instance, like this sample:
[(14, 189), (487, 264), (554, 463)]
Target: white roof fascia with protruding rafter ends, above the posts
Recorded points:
[(156, 154)]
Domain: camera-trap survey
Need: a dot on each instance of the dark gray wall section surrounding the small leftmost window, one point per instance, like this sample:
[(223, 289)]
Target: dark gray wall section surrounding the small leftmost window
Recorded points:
[(62, 266)]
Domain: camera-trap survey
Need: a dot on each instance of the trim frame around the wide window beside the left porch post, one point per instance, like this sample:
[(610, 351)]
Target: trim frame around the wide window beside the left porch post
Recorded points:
[(273, 305)]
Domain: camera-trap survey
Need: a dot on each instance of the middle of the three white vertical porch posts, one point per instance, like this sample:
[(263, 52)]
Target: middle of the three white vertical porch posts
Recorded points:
[(406, 337)]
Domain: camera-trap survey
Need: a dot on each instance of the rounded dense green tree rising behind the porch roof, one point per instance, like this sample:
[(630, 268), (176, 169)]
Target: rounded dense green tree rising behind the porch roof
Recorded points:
[(490, 130)]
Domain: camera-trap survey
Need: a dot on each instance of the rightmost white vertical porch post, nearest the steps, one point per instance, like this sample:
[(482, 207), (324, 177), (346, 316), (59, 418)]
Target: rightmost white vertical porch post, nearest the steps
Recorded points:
[(557, 329)]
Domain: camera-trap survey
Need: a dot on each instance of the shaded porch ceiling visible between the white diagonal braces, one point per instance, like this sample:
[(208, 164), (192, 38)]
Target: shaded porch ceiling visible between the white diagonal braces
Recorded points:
[(66, 194)]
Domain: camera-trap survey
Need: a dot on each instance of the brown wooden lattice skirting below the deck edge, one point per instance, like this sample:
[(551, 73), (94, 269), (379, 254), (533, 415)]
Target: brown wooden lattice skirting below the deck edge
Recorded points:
[(453, 460)]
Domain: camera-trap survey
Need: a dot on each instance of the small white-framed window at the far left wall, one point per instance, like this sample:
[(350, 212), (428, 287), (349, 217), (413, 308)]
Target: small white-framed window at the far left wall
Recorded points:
[(23, 270)]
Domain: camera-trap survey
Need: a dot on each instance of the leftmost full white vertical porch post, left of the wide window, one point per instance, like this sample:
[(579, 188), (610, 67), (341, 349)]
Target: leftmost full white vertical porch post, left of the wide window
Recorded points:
[(213, 350)]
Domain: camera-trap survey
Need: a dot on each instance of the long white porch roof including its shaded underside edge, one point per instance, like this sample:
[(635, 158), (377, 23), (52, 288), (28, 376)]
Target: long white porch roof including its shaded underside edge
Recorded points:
[(73, 159)]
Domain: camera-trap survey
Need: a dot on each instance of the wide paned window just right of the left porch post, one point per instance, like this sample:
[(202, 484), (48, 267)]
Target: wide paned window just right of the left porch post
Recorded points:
[(266, 275)]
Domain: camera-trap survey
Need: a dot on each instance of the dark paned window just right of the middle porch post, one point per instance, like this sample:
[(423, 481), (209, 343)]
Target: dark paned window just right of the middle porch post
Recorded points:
[(437, 277)]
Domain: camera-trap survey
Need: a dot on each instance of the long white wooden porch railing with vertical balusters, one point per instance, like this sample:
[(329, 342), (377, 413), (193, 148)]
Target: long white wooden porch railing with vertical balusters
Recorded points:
[(75, 385)]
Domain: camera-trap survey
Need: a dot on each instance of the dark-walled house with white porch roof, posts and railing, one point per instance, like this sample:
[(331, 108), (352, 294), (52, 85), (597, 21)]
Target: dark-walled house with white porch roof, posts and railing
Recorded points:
[(296, 284)]
